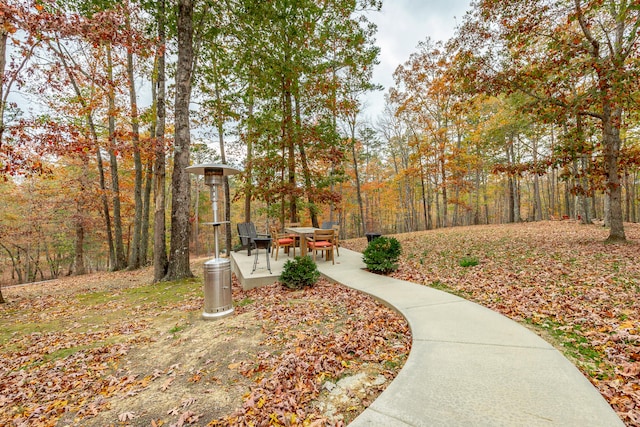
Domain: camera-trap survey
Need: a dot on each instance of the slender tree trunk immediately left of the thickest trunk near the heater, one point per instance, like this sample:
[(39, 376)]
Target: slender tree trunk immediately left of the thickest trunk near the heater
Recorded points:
[(159, 229)]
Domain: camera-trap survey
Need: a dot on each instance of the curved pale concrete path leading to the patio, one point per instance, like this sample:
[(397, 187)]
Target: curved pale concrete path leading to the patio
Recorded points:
[(470, 366)]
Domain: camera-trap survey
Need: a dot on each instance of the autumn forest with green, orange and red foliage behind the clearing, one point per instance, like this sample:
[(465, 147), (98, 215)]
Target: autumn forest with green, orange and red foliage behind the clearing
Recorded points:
[(528, 113)]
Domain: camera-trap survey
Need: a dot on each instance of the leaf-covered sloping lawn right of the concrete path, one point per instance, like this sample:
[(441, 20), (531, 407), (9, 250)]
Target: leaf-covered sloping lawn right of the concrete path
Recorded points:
[(557, 277)]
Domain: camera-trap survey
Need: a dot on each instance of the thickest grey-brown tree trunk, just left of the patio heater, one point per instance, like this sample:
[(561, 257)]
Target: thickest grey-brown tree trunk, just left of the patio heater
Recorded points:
[(180, 195)]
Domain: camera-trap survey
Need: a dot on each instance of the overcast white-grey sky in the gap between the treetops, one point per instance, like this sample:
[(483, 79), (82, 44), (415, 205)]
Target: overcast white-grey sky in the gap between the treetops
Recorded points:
[(402, 24)]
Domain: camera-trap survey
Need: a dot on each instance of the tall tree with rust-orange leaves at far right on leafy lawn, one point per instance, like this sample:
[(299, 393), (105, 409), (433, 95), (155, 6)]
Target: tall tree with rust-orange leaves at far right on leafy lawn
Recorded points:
[(542, 48)]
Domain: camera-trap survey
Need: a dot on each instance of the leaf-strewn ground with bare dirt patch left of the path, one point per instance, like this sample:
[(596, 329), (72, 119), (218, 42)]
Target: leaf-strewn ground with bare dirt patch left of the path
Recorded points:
[(114, 349)]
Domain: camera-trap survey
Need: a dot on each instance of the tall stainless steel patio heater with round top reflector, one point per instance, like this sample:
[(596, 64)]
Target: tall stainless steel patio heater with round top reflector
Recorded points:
[(217, 272)]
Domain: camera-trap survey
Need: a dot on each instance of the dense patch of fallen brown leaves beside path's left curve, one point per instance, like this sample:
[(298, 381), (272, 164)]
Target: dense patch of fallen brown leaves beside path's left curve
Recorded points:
[(315, 347)]
